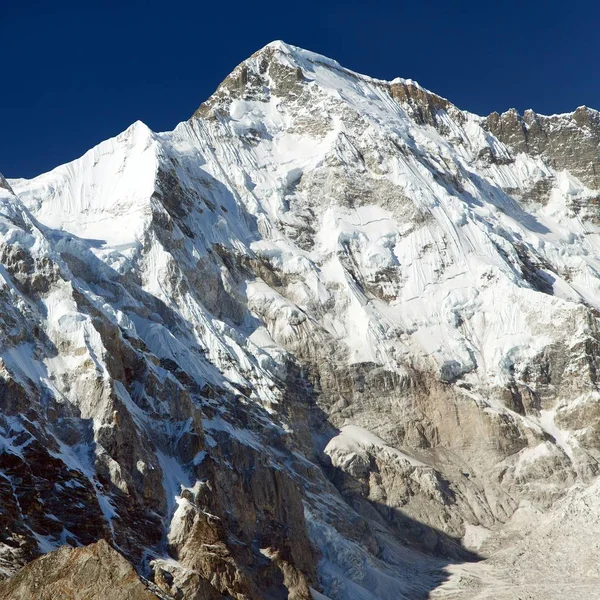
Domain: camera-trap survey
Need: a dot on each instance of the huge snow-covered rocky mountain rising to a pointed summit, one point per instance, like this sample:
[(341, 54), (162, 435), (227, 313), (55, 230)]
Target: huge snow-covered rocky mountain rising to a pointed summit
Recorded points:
[(331, 337)]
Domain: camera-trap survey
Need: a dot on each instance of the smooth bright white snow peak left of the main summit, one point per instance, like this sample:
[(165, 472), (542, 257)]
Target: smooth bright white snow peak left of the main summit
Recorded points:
[(104, 196)]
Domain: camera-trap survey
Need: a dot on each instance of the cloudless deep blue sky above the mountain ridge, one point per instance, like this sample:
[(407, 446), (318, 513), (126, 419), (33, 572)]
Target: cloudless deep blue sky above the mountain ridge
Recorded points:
[(75, 73)]
